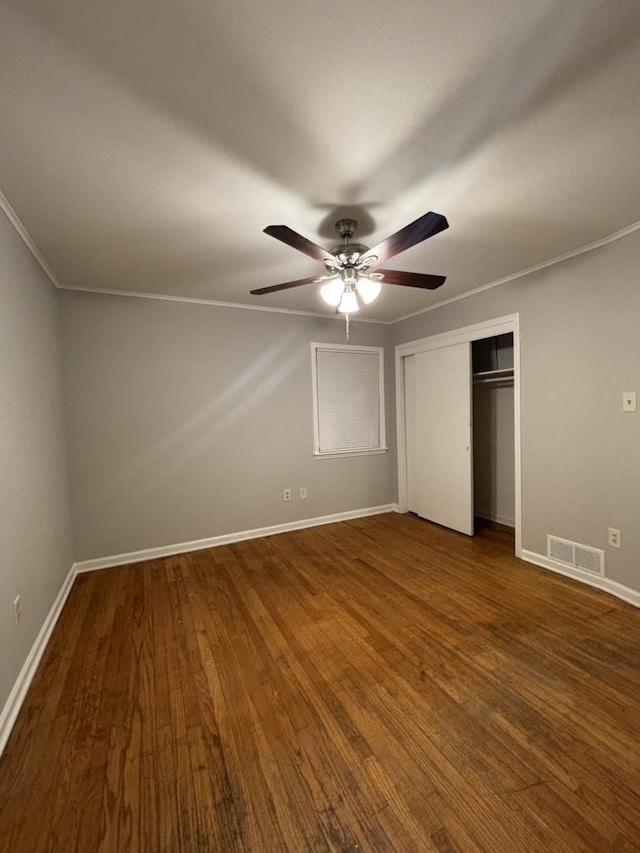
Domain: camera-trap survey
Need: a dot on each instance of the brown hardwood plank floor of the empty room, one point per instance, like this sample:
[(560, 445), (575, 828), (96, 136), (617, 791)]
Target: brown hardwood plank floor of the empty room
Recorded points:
[(377, 685)]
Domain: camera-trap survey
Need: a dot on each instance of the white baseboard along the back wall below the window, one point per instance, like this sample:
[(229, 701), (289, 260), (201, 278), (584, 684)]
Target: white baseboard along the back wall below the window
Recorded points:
[(226, 539)]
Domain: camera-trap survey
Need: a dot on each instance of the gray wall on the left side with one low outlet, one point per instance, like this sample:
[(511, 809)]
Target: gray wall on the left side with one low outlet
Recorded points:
[(35, 528)]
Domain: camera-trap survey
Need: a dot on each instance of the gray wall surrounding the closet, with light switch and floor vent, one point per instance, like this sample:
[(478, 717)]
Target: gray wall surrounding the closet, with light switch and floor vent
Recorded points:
[(580, 338)]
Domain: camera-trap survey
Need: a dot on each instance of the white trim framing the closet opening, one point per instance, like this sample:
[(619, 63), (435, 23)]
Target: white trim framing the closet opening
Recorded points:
[(466, 334)]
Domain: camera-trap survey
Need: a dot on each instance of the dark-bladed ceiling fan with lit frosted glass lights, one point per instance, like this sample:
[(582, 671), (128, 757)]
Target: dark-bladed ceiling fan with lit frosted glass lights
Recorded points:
[(352, 274)]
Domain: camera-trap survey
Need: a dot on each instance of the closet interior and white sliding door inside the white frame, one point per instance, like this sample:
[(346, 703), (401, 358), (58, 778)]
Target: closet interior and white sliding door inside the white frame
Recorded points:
[(459, 432)]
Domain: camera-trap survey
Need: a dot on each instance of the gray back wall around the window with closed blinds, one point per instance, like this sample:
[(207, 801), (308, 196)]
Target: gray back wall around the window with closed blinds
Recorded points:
[(187, 421)]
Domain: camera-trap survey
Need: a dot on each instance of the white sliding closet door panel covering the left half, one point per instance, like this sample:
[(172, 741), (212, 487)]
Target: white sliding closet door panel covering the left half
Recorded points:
[(439, 455)]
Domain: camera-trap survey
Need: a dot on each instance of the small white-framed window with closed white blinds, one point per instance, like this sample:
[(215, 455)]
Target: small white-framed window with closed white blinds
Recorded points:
[(348, 399)]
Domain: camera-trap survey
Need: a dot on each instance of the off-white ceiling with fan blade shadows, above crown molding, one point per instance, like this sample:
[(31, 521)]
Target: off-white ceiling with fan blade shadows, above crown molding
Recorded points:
[(146, 144)]
